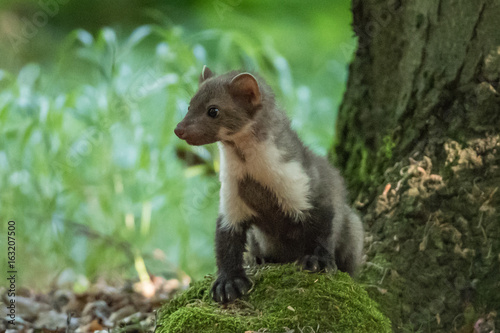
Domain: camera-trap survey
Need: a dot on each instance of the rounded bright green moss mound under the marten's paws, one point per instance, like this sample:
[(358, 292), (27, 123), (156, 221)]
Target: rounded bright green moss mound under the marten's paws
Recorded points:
[(282, 299)]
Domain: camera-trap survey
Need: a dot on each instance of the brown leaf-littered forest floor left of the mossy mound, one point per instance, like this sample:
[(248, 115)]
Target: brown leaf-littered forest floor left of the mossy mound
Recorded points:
[(130, 308)]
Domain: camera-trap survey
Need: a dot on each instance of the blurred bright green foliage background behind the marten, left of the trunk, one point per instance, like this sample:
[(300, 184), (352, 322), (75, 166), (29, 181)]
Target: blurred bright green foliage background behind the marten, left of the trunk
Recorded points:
[(90, 92)]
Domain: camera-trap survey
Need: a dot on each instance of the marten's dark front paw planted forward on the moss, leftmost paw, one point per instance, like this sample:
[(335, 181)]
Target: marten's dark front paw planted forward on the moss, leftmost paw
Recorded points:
[(228, 288)]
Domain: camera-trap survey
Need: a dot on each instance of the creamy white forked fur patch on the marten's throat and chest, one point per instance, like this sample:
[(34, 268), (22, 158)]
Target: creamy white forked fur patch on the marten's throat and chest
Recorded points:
[(263, 163)]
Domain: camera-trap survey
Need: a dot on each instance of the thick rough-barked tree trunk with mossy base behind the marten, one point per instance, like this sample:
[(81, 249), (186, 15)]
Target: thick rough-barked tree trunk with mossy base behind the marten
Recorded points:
[(418, 140)]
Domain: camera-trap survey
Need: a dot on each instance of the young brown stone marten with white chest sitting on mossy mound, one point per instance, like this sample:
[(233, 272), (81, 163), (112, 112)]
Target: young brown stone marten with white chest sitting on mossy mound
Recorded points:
[(277, 197)]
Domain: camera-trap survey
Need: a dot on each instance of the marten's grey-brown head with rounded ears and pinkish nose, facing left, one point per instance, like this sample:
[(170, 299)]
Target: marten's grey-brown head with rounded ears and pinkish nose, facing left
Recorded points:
[(223, 107)]
